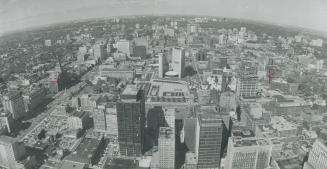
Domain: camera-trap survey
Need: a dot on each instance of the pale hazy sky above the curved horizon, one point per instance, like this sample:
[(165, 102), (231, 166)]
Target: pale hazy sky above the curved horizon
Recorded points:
[(20, 14)]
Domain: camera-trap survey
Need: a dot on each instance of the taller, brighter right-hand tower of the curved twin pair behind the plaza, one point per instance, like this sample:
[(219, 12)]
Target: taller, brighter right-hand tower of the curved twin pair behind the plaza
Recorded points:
[(178, 61)]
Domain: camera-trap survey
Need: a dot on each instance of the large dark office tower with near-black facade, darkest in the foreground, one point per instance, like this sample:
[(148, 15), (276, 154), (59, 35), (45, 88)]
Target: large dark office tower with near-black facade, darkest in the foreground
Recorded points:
[(131, 121)]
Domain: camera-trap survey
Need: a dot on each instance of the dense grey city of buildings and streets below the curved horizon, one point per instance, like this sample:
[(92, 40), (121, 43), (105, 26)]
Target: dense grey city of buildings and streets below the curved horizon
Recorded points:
[(163, 92)]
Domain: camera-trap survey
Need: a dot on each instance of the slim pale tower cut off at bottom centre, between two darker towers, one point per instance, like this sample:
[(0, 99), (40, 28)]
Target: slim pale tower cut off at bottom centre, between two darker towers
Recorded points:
[(166, 148)]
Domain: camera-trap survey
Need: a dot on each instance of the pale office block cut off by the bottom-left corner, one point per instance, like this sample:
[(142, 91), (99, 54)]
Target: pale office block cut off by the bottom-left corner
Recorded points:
[(10, 152)]
